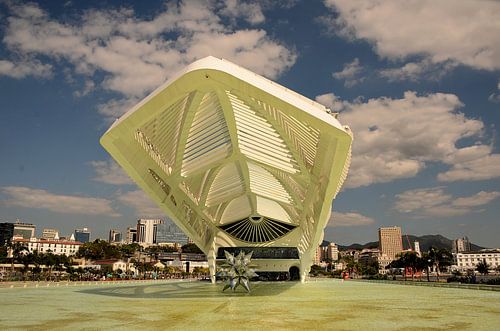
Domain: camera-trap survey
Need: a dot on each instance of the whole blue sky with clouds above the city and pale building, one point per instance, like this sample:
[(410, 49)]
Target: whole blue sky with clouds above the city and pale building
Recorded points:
[(417, 81)]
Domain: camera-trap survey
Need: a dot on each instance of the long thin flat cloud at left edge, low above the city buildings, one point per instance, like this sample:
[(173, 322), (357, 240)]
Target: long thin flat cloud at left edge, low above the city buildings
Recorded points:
[(67, 204)]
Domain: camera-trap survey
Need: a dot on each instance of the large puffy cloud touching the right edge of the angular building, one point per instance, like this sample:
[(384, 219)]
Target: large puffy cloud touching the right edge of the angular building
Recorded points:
[(397, 138)]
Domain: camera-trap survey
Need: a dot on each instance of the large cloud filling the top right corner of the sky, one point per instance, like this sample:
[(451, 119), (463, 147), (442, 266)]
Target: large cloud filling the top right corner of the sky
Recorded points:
[(444, 31)]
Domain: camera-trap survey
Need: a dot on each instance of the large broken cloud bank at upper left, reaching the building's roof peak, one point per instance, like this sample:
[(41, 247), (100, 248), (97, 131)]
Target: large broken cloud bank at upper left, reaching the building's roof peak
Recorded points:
[(136, 55)]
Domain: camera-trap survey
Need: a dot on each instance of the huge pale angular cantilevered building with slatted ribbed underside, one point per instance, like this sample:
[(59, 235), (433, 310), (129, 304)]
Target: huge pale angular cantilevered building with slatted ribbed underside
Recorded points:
[(236, 160)]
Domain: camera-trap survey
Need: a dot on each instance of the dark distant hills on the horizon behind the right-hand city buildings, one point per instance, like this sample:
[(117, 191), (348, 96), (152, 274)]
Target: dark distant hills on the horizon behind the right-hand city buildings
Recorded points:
[(426, 241)]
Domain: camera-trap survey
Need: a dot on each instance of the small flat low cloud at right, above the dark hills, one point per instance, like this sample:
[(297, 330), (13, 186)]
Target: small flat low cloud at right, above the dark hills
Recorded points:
[(434, 202)]
